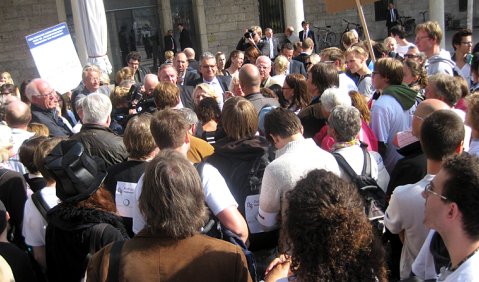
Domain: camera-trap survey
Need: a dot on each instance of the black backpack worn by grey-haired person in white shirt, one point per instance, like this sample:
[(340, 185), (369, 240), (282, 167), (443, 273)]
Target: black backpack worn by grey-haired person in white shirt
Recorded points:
[(373, 196)]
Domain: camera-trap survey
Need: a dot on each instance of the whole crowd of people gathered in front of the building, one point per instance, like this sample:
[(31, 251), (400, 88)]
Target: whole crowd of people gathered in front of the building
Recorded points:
[(228, 168)]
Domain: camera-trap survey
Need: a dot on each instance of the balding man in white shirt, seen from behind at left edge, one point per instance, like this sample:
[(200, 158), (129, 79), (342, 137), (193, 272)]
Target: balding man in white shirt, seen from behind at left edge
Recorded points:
[(18, 116)]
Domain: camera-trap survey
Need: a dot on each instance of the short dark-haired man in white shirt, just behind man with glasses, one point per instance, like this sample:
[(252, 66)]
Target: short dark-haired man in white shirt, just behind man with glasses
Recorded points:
[(441, 136)]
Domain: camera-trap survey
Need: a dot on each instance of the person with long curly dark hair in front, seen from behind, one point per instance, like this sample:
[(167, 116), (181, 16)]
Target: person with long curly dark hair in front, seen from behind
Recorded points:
[(328, 235)]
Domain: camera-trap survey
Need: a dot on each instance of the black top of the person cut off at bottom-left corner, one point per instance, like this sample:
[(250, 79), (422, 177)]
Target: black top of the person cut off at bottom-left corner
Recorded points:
[(19, 262)]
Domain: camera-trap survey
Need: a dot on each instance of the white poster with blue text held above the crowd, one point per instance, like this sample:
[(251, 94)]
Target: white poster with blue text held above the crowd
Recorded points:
[(55, 57)]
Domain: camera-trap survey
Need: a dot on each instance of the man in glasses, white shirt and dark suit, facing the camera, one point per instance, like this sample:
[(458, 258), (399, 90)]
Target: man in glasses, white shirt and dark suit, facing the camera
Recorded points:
[(208, 70)]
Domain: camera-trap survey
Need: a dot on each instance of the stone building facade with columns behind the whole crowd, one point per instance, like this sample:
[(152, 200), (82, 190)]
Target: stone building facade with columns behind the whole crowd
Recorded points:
[(217, 25)]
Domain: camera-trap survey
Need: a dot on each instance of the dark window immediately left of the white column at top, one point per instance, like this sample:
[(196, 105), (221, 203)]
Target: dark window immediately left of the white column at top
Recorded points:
[(271, 14)]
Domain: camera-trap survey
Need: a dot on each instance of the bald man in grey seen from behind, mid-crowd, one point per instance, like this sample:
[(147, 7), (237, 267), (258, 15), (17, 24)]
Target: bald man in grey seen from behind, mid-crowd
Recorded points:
[(250, 82)]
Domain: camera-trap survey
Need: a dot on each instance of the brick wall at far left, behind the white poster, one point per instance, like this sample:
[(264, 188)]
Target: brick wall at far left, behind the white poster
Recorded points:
[(19, 19)]
